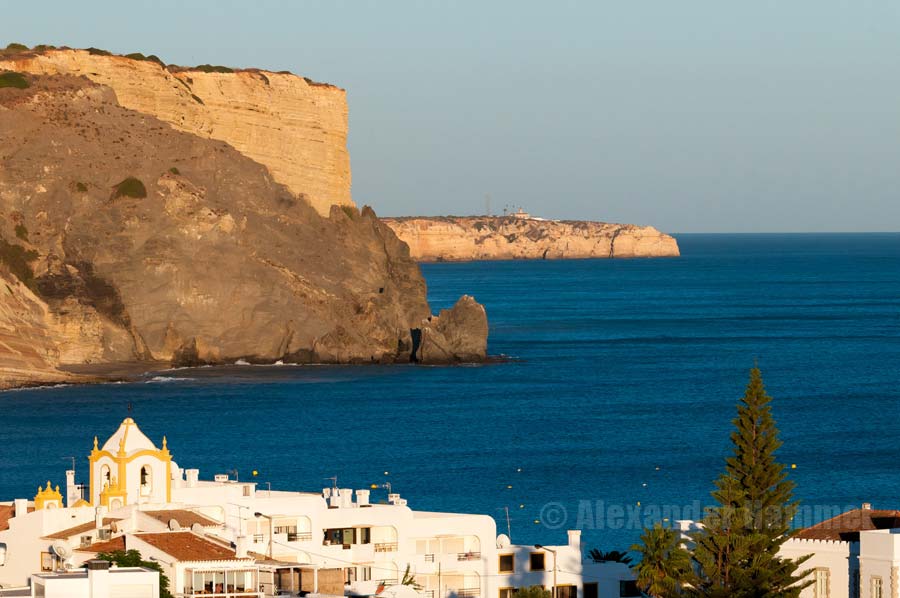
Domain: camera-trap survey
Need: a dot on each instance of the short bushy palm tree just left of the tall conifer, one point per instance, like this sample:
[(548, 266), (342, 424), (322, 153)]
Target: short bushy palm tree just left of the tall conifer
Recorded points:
[(665, 564)]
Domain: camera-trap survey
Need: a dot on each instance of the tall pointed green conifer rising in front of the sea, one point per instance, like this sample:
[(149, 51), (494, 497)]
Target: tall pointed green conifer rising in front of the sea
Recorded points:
[(736, 551)]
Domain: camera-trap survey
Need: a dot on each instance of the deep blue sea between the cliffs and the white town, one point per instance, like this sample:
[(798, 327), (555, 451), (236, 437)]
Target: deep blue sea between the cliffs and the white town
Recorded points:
[(613, 408)]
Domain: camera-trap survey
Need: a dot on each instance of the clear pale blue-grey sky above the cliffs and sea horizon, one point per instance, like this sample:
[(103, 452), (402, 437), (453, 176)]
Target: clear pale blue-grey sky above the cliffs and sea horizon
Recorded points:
[(691, 116)]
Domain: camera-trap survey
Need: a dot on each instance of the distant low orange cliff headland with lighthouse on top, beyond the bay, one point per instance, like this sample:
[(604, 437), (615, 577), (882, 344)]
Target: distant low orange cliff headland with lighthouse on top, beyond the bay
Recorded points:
[(506, 238)]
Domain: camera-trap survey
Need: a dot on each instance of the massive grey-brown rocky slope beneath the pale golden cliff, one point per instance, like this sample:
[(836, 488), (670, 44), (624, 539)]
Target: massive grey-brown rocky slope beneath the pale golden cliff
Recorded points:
[(140, 242)]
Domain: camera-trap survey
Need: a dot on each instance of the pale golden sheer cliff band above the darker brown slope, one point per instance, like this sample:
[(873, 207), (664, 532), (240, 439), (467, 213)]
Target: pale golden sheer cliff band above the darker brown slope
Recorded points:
[(296, 128)]
